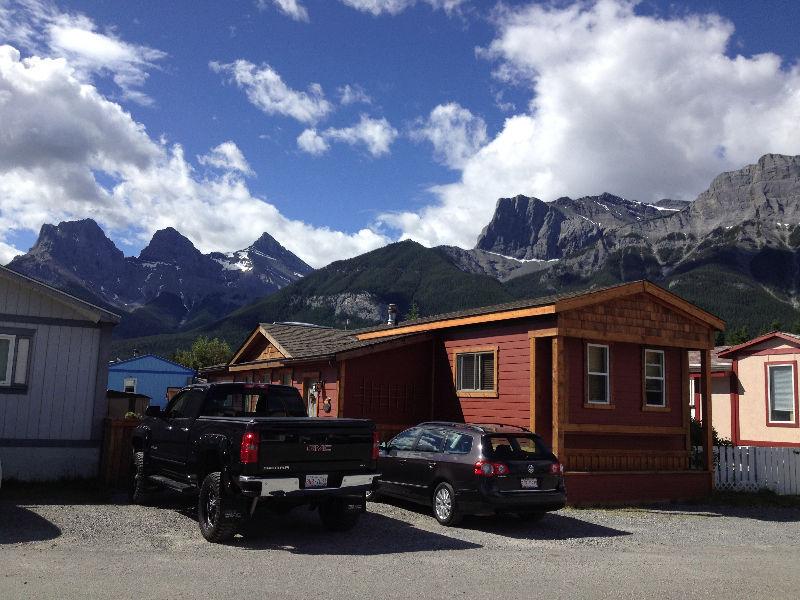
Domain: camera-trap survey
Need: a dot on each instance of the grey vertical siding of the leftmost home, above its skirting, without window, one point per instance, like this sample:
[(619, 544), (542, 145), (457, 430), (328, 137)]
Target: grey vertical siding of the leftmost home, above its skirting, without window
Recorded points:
[(68, 369)]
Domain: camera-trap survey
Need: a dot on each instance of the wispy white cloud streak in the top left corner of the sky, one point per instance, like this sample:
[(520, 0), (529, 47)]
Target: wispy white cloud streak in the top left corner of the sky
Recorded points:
[(40, 28)]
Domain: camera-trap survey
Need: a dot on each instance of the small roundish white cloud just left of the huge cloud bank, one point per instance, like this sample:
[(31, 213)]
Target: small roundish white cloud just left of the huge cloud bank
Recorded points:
[(456, 134)]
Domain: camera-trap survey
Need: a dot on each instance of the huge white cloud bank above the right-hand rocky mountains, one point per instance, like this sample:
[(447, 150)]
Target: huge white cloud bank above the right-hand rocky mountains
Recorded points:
[(642, 106)]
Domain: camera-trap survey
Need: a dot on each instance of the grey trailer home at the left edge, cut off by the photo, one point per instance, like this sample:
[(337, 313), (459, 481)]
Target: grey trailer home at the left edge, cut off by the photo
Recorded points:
[(54, 351)]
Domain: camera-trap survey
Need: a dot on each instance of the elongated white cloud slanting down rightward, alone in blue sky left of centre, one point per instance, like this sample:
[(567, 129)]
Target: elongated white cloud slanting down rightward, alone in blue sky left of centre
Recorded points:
[(266, 89)]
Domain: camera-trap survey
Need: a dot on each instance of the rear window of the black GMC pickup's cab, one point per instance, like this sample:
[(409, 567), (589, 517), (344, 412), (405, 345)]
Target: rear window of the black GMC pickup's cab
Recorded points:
[(248, 401)]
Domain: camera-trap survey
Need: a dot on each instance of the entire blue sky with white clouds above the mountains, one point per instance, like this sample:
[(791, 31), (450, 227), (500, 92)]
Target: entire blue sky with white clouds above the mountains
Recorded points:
[(339, 126)]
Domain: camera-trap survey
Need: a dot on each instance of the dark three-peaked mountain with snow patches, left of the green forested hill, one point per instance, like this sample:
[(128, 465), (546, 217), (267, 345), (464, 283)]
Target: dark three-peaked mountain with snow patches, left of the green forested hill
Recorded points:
[(171, 286)]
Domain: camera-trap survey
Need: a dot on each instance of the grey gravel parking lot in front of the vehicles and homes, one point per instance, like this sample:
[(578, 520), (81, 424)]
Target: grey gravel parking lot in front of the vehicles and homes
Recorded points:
[(76, 544)]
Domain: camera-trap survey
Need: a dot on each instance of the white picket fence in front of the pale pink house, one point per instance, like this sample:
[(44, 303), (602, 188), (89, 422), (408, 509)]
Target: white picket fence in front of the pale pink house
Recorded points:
[(751, 468)]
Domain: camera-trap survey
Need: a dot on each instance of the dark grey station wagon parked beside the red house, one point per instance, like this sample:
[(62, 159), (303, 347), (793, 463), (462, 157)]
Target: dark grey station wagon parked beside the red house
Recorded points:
[(460, 469)]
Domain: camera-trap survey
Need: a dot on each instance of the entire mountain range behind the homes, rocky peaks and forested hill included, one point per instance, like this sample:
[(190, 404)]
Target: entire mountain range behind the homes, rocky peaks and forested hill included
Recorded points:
[(734, 250)]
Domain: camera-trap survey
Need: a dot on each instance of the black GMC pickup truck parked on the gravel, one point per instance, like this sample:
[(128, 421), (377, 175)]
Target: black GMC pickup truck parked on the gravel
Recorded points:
[(240, 445)]
